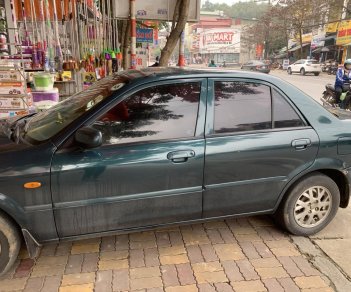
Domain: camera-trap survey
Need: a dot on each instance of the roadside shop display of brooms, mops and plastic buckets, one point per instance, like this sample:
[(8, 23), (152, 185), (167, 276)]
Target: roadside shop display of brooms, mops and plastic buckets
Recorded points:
[(50, 49)]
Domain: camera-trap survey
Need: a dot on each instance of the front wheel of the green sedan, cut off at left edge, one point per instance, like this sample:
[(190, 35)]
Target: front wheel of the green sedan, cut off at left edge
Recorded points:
[(10, 243)]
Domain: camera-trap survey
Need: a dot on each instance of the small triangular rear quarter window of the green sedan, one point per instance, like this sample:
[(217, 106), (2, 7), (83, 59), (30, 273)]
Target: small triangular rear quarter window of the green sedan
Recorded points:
[(284, 115)]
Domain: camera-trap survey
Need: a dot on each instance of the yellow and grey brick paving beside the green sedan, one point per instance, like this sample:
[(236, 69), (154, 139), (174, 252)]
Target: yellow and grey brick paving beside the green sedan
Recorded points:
[(249, 254)]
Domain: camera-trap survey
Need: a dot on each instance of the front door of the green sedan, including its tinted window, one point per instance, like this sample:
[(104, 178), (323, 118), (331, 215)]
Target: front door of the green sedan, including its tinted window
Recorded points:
[(149, 169)]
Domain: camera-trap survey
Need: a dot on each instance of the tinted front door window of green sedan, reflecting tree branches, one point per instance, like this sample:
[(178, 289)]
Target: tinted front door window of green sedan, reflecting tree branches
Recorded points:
[(155, 113)]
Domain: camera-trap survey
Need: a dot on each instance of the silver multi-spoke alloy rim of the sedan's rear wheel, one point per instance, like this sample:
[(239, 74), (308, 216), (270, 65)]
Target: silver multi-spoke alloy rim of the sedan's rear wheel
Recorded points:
[(313, 207)]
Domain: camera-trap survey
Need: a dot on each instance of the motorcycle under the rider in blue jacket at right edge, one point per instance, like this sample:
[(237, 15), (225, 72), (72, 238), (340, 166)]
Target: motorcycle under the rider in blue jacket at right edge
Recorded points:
[(329, 96)]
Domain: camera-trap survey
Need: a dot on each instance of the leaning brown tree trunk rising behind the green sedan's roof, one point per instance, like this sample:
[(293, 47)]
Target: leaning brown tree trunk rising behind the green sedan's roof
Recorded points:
[(176, 32)]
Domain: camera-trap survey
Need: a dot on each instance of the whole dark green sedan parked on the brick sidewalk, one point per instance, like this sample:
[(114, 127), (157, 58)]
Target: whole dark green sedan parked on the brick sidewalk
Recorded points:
[(150, 148)]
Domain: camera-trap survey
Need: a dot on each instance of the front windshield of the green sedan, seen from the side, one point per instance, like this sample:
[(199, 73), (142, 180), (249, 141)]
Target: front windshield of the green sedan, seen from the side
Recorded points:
[(46, 124)]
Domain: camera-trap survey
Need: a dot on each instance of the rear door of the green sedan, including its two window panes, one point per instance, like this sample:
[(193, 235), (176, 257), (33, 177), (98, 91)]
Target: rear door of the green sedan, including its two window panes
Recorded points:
[(256, 142)]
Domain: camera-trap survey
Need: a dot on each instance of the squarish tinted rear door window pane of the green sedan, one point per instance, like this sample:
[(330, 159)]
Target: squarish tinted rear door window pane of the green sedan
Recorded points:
[(241, 106)]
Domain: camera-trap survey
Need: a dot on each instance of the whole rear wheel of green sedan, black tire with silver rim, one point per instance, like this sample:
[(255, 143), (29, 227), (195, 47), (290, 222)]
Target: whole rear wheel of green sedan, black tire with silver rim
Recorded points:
[(287, 213)]
